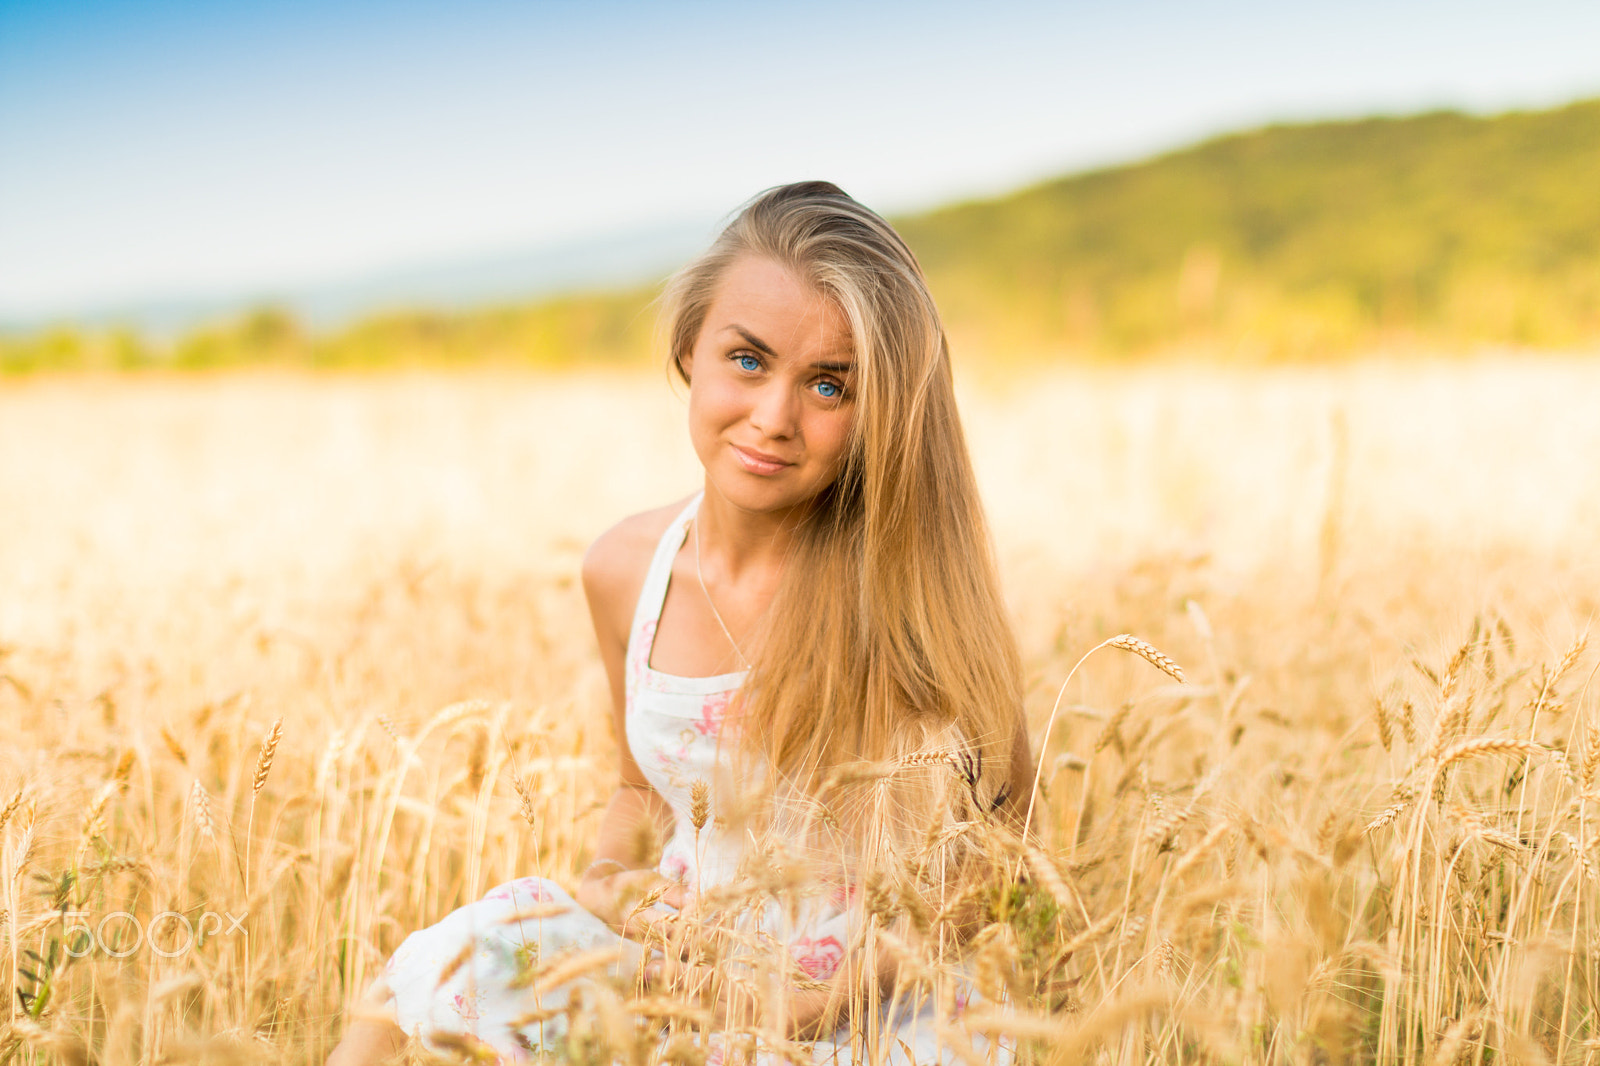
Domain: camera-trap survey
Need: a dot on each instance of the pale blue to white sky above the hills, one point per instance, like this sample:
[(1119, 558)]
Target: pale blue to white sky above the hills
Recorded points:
[(166, 150)]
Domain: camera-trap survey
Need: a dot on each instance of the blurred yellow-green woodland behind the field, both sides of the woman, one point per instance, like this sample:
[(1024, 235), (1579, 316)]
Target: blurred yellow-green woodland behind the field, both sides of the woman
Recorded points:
[(1439, 231)]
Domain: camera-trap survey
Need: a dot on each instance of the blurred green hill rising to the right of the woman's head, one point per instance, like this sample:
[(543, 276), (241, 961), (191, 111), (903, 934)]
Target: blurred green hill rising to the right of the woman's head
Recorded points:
[(1294, 241)]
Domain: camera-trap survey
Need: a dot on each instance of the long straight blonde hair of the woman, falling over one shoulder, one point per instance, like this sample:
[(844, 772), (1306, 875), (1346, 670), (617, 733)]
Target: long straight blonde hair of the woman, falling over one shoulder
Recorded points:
[(906, 636)]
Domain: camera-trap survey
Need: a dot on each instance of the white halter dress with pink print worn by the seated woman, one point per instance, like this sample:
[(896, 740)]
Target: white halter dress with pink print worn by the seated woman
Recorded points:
[(673, 731)]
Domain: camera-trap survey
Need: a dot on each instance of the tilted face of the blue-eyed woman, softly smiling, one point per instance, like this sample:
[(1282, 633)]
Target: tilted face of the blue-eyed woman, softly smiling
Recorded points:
[(770, 388)]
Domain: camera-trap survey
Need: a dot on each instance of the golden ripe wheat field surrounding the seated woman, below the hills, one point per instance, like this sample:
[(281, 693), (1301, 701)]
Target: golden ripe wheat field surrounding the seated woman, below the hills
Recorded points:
[(278, 651)]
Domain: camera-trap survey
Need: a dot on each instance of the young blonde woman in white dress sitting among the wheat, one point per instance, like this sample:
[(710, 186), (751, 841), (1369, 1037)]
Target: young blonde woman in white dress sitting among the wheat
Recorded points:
[(810, 665)]
